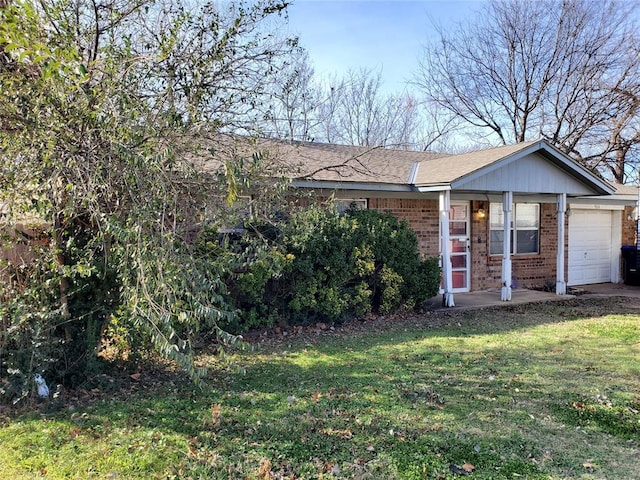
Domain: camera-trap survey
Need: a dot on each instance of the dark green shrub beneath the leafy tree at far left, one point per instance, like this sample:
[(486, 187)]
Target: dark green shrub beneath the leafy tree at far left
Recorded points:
[(40, 334)]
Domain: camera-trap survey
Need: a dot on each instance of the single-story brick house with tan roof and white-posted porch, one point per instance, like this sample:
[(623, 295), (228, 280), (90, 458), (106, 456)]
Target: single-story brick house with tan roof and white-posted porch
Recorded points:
[(519, 215)]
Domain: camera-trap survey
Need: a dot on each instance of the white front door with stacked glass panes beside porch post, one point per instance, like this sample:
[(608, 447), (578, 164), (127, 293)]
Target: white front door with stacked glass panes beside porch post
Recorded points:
[(459, 247)]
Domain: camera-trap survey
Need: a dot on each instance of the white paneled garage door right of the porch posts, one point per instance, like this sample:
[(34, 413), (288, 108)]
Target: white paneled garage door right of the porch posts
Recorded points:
[(590, 247)]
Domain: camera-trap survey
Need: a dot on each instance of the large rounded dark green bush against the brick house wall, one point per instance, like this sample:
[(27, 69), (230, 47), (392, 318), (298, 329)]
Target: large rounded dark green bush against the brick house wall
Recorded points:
[(322, 266)]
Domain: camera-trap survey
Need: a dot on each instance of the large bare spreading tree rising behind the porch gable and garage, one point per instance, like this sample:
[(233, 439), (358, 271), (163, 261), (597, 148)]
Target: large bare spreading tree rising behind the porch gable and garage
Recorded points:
[(564, 70)]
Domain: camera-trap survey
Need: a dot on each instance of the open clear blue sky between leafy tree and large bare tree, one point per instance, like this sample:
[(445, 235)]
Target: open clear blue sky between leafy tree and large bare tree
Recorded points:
[(378, 34)]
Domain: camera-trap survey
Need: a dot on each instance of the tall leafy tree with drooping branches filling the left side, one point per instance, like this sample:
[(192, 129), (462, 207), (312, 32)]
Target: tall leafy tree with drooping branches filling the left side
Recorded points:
[(106, 111)]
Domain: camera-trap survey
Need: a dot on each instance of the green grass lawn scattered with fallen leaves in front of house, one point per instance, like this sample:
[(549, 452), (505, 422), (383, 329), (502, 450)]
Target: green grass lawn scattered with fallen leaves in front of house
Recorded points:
[(544, 391)]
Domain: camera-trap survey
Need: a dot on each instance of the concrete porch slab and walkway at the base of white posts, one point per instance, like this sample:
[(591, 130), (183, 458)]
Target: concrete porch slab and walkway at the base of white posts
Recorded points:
[(490, 298)]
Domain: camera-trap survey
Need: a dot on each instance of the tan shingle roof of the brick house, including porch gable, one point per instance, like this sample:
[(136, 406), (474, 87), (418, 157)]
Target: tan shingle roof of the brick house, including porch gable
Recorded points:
[(384, 168)]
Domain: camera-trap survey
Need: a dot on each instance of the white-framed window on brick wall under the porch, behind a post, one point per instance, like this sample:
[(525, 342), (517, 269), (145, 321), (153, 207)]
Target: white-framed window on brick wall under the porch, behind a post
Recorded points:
[(525, 228)]
